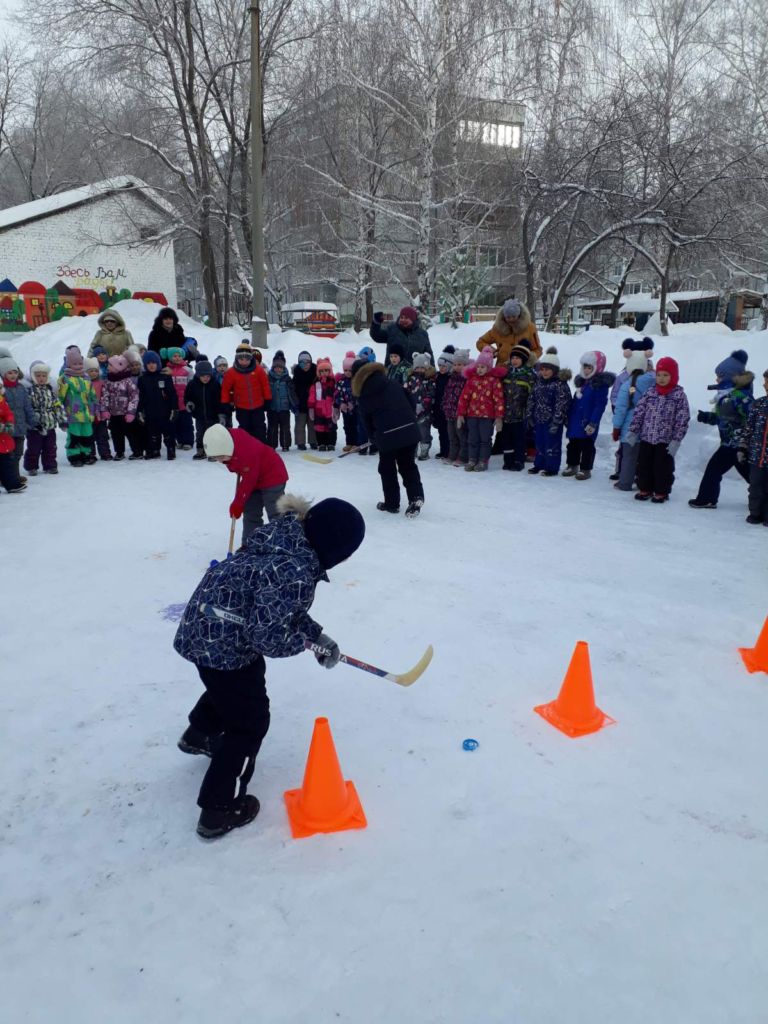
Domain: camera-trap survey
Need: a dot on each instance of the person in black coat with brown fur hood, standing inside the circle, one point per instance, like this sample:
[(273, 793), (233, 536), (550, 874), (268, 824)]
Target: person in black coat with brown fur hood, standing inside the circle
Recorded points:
[(391, 421)]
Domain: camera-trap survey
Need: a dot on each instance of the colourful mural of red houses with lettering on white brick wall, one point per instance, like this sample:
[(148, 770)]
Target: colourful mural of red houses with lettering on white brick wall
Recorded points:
[(32, 305)]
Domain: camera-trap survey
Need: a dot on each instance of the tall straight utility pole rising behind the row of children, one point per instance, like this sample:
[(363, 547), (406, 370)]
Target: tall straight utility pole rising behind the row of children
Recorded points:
[(259, 327)]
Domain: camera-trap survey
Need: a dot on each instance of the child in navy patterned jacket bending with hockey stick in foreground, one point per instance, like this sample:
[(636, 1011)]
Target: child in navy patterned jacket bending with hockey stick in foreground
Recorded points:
[(270, 583)]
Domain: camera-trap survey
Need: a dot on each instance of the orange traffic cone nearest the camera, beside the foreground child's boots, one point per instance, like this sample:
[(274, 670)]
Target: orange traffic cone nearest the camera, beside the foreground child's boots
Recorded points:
[(325, 802)]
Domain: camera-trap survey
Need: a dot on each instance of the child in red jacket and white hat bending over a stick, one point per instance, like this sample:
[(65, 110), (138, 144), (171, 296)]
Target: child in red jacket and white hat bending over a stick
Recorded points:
[(263, 475)]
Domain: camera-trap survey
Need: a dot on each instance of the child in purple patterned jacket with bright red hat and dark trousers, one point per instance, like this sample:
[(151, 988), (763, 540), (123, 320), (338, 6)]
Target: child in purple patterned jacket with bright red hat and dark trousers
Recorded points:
[(660, 423)]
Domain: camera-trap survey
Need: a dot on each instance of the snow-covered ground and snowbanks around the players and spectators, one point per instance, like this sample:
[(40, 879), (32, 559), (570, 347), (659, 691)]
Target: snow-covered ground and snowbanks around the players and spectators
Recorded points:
[(618, 878)]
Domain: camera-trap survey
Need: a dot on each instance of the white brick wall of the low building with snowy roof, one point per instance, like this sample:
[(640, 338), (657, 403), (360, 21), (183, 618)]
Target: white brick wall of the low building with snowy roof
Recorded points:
[(91, 246)]
